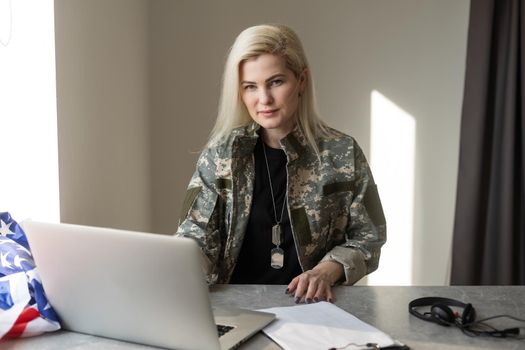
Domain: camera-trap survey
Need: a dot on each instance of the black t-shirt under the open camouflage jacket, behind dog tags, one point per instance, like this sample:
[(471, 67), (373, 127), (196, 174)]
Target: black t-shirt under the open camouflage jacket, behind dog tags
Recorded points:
[(253, 264)]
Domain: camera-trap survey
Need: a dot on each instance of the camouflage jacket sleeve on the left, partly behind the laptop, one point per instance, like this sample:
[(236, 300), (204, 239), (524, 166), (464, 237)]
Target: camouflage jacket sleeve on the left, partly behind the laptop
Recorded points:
[(200, 215)]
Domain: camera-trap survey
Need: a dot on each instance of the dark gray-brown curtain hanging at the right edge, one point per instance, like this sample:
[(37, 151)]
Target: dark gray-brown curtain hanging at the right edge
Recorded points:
[(489, 231)]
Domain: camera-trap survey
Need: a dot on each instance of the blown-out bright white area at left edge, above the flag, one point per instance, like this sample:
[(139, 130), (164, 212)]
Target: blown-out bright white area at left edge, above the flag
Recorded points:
[(28, 117)]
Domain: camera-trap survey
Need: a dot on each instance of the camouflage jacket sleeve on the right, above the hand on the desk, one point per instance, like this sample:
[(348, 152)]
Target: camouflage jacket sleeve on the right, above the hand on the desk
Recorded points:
[(366, 232)]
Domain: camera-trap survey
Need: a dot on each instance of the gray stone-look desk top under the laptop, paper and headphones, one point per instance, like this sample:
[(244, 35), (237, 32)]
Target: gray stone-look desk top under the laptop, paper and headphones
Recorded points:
[(383, 307)]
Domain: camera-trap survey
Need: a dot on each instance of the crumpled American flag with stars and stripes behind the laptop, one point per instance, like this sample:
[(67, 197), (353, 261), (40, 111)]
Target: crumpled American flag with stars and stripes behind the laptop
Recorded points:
[(24, 309)]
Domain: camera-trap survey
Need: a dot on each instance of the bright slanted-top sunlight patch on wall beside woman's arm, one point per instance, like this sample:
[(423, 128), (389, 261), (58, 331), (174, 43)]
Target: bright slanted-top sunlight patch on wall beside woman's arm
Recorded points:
[(393, 140)]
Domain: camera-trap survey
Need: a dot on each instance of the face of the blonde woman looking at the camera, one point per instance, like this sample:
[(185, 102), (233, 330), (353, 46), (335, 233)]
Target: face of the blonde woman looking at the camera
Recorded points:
[(270, 92)]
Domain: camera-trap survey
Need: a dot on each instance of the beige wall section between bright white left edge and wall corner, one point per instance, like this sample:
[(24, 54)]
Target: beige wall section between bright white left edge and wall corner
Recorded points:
[(103, 112)]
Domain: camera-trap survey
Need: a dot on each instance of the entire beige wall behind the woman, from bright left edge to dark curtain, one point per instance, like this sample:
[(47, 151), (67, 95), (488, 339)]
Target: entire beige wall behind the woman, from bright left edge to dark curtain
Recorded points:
[(410, 51)]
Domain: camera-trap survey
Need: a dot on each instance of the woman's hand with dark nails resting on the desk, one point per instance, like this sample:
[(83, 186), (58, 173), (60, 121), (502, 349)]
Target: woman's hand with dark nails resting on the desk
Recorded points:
[(316, 284)]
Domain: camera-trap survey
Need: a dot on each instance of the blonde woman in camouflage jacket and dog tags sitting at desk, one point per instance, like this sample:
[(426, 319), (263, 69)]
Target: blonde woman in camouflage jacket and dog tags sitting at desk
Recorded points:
[(278, 197)]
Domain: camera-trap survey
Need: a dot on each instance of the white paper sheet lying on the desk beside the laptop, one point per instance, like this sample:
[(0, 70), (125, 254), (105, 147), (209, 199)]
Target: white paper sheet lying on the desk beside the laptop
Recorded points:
[(321, 326)]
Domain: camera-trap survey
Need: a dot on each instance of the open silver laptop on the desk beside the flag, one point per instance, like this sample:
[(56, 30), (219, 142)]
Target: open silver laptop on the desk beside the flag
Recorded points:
[(137, 287)]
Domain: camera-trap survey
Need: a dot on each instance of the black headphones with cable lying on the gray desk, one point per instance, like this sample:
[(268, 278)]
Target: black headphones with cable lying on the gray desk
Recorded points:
[(441, 312)]
